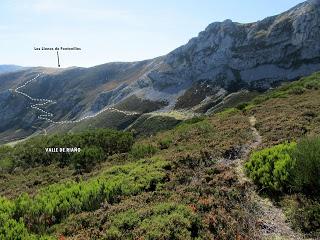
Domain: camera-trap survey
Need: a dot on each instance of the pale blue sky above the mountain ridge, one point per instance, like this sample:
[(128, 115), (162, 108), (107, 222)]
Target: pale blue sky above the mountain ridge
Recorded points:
[(120, 30)]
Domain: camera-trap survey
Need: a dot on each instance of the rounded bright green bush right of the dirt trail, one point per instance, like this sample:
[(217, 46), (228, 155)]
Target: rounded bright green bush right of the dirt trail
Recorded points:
[(288, 167)]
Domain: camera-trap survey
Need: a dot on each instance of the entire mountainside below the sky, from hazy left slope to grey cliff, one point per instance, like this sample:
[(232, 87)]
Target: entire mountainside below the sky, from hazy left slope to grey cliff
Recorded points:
[(200, 76)]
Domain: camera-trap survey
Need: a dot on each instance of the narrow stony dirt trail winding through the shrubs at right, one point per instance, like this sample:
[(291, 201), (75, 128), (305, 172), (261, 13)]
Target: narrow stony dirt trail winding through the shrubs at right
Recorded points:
[(272, 220)]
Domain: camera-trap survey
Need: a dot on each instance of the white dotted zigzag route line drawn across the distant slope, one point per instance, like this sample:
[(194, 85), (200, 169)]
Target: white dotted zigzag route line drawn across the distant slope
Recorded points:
[(47, 116)]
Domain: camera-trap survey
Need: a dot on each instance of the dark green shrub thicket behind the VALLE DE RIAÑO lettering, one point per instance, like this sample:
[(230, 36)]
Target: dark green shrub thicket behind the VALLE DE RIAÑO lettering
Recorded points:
[(95, 146)]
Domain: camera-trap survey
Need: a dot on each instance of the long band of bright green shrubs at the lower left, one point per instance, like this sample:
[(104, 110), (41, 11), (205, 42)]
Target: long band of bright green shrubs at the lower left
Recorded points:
[(56, 202)]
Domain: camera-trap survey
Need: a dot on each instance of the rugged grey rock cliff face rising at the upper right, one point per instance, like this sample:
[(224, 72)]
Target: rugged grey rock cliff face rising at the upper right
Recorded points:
[(278, 48)]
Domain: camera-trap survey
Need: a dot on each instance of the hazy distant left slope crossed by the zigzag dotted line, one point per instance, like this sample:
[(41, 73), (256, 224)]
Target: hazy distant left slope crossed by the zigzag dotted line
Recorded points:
[(75, 93)]
